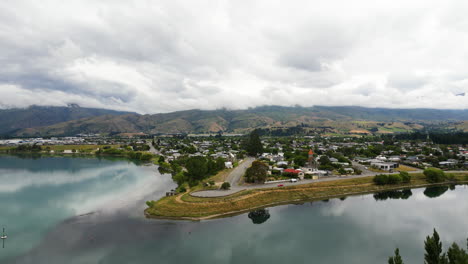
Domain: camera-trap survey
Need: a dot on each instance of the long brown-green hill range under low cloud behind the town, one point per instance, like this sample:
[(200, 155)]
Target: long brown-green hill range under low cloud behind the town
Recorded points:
[(317, 118)]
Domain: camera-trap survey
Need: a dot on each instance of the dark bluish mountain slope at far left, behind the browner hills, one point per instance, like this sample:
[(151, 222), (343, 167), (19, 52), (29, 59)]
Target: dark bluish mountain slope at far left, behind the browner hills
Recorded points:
[(16, 119)]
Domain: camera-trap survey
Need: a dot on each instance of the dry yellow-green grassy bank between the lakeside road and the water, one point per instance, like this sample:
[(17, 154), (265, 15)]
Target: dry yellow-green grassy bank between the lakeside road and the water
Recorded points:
[(188, 207)]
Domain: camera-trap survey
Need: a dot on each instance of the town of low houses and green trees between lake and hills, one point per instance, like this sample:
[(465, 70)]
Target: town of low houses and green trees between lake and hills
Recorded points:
[(285, 158)]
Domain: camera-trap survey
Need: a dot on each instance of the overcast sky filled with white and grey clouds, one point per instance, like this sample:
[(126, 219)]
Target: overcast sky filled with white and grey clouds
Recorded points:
[(162, 56)]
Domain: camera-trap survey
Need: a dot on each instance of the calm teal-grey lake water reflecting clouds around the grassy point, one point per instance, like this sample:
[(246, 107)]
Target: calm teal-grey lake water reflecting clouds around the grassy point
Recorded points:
[(78, 210)]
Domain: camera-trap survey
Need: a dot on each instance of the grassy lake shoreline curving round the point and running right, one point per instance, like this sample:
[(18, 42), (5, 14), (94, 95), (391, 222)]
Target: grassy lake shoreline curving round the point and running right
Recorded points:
[(184, 213)]
